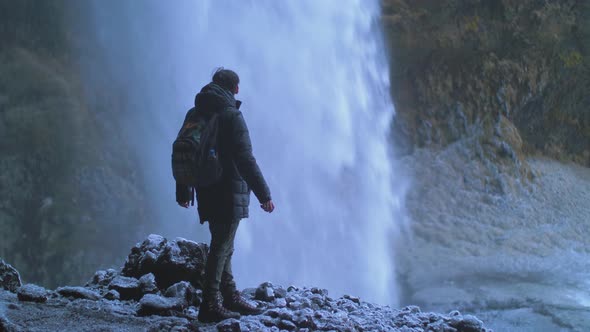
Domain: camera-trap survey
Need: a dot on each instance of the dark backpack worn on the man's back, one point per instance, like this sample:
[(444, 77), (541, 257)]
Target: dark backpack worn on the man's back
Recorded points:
[(195, 159)]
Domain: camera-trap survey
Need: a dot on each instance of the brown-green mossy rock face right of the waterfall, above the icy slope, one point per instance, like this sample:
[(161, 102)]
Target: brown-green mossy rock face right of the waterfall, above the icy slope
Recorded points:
[(454, 63)]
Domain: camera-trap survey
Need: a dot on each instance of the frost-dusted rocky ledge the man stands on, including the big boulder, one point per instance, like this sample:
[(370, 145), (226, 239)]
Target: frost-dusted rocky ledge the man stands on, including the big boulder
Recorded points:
[(294, 309)]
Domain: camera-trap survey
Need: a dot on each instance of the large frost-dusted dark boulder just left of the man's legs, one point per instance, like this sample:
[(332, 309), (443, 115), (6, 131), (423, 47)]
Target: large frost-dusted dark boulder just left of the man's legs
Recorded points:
[(169, 261)]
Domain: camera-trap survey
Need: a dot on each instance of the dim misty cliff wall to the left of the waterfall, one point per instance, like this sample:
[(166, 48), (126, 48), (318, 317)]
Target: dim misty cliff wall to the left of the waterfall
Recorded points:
[(67, 179)]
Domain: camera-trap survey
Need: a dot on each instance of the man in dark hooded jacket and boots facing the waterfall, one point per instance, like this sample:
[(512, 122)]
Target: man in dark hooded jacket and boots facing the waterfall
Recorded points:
[(226, 202)]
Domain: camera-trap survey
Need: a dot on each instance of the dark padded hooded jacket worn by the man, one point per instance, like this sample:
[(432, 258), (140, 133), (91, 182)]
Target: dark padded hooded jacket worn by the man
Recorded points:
[(228, 199)]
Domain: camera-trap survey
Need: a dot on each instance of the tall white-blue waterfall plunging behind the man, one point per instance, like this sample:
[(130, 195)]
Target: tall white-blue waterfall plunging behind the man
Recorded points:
[(315, 87)]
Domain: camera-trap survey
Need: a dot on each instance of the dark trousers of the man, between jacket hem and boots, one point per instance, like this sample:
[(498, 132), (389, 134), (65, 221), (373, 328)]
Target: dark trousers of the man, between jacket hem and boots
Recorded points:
[(218, 274)]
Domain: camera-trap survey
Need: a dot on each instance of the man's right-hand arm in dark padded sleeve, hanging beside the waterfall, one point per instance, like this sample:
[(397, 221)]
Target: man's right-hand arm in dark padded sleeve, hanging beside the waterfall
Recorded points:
[(245, 161)]
